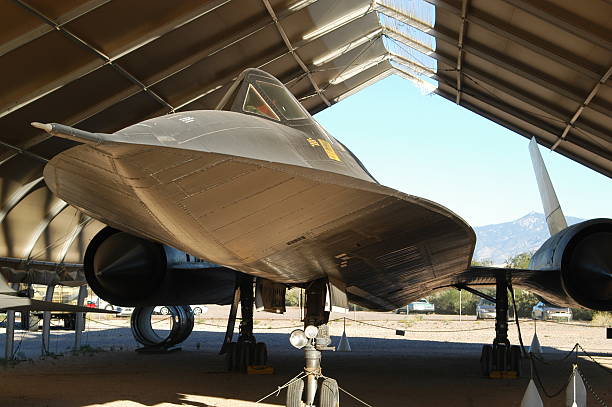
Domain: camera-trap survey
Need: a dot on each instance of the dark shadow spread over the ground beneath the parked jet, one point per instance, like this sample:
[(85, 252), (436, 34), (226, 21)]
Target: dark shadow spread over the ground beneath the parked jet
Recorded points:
[(383, 372)]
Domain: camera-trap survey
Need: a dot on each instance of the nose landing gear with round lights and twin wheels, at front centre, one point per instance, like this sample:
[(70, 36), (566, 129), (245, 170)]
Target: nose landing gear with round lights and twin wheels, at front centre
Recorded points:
[(313, 339)]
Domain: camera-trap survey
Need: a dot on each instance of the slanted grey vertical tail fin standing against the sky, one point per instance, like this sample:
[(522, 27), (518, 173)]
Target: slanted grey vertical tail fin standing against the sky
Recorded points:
[(552, 210)]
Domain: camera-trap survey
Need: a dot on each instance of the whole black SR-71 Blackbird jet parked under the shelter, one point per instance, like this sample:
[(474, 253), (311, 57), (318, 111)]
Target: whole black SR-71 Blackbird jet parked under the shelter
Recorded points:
[(203, 206)]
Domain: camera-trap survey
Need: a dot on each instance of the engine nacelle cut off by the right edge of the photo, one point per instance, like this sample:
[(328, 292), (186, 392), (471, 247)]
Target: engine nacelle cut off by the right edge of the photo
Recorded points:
[(583, 254)]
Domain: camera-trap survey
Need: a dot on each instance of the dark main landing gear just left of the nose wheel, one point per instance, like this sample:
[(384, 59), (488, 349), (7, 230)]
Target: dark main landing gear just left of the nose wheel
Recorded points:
[(246, 351)]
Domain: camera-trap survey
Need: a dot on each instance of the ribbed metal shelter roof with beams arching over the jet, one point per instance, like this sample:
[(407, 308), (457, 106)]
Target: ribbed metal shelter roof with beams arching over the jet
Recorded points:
[(100, 65)]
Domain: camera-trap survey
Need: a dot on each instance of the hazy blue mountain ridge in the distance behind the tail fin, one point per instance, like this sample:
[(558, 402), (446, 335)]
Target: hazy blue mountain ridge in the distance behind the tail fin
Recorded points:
[(501, 241)]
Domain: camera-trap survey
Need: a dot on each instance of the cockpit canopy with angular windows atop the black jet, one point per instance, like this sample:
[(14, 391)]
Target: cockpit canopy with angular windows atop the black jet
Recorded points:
[(259, 93)]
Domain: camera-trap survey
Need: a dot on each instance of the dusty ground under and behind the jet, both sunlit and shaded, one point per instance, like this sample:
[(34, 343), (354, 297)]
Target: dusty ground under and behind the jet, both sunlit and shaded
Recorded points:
[(436, 363)]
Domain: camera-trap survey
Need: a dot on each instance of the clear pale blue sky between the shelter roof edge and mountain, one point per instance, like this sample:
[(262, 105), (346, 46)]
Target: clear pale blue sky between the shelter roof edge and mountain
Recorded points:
[(427, 146)]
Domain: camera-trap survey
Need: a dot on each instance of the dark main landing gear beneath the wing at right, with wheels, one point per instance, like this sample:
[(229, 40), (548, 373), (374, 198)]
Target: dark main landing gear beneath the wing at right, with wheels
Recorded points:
[(501, 360)]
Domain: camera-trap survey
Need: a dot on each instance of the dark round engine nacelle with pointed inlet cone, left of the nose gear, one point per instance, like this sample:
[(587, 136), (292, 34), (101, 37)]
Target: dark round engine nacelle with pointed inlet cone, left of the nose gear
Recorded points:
[(128, 270)]
